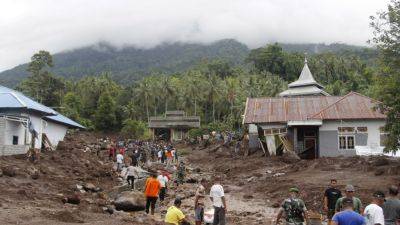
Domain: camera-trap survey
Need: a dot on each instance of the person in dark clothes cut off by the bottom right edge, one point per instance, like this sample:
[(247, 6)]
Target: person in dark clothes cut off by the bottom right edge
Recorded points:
[(391, 207)]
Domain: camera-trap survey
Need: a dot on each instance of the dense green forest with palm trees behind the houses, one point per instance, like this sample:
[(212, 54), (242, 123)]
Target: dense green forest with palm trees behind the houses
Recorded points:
[(216, 89)]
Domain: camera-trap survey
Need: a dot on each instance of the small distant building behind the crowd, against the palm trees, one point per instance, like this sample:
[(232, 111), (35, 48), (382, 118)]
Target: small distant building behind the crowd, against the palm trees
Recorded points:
[(174, 126)]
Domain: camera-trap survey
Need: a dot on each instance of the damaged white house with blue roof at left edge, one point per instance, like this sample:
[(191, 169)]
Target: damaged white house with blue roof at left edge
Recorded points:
[(21, 118)]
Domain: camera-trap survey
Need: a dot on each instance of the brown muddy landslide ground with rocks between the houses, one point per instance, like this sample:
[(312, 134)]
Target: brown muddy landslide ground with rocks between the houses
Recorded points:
[(255, 185)]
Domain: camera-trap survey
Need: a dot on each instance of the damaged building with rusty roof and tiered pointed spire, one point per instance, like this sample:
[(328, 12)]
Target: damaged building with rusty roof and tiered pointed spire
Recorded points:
[(307, 120)]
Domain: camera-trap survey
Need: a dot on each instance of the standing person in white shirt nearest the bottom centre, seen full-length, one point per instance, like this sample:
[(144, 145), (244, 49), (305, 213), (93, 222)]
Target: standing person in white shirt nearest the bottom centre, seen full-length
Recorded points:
[(217, 197)]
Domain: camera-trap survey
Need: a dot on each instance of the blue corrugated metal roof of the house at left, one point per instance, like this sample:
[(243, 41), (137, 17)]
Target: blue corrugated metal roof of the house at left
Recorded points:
[(12, 99)]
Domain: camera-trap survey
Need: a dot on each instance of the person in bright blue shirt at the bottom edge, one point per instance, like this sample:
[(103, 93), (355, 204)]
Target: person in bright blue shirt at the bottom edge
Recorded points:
[(348, 216)]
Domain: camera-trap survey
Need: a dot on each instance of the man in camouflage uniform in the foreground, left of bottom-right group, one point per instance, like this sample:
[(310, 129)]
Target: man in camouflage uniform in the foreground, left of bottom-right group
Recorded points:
[(294, 209)]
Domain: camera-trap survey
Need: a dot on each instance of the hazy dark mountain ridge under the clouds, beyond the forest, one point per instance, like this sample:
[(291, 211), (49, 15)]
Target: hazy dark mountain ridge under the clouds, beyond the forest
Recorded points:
[(128, 63)]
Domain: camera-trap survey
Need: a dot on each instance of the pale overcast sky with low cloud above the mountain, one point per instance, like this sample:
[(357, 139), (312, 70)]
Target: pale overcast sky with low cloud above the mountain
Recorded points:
[(59, 25)]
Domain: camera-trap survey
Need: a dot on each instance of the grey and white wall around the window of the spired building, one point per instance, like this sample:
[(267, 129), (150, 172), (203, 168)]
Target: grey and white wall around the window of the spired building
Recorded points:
[(328, 136)]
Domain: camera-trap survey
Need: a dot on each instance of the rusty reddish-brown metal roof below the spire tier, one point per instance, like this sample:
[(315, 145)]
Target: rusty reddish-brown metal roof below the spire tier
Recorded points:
[(281, 110)]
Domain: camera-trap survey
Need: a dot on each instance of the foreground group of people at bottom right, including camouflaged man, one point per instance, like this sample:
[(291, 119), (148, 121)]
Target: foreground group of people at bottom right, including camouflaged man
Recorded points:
[(347, 209)]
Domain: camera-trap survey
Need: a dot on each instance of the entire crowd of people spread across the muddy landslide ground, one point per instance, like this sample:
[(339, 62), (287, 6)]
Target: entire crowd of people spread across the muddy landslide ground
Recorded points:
[(340, 209)]
